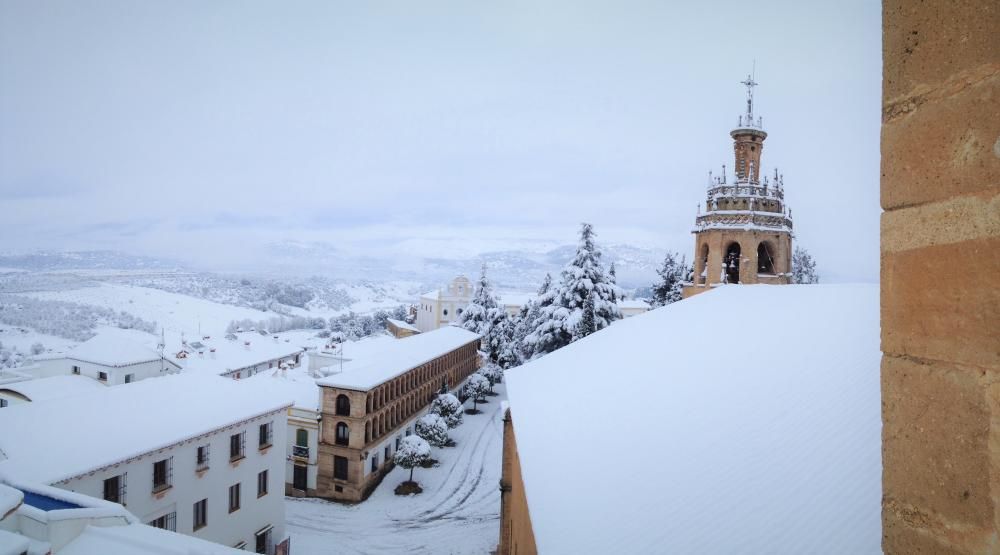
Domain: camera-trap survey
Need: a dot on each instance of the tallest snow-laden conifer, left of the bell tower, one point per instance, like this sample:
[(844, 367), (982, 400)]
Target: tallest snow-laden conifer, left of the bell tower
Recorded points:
[(582, 278)]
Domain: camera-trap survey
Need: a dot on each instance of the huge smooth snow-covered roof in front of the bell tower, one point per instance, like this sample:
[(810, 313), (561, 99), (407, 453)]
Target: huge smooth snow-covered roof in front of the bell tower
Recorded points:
[(748, 418)]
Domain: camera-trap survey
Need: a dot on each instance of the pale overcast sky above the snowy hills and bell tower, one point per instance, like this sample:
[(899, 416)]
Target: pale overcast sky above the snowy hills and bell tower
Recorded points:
[(196, 130)]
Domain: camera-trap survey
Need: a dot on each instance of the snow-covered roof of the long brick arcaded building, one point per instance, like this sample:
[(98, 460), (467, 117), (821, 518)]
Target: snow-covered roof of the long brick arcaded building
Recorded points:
[(397, 357)]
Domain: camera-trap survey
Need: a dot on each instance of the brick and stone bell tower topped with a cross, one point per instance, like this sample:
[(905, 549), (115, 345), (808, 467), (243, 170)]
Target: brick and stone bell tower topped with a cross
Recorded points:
[(743, 233)]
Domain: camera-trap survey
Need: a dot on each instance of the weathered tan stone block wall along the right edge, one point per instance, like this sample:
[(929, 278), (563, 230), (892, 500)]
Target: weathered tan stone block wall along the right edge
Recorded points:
[(941, 276)]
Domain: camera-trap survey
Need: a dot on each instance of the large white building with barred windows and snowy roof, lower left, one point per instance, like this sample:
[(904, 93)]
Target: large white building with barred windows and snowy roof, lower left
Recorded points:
[(197, 454)]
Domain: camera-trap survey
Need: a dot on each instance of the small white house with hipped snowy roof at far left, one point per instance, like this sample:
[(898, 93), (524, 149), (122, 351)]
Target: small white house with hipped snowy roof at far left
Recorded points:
[(112, 357)]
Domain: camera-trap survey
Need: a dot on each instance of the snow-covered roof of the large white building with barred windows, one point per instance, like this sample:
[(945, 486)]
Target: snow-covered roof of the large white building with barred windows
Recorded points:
[(54, 440)]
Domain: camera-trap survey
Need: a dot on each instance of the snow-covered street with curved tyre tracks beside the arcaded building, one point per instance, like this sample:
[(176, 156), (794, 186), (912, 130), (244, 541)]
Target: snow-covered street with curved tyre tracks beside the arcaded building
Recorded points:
[(458, 512)]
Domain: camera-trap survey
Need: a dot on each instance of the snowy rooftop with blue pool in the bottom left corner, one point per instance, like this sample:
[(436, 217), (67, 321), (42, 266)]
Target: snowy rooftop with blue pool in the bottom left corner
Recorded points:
[(40, 519)]
